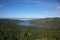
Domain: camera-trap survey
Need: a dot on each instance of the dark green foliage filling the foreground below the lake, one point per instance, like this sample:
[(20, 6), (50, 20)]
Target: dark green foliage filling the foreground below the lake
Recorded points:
[(9, 31)]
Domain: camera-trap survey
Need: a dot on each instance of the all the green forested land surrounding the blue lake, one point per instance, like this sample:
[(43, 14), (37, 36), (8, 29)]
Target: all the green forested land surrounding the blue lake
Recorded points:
[(10, 30)]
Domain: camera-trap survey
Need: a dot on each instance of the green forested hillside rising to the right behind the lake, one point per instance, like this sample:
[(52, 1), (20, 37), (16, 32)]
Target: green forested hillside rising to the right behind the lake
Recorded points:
[(50, 22)]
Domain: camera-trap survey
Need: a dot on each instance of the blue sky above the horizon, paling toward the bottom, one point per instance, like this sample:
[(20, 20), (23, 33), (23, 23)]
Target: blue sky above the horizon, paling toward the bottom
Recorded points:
[(29, 8)]
